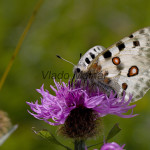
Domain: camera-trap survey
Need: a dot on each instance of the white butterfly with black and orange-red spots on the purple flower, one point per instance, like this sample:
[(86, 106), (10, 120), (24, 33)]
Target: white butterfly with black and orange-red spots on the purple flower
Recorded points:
[(122, 67)]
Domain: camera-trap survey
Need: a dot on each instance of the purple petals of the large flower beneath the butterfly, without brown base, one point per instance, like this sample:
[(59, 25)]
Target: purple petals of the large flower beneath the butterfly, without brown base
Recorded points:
[(55, 109)]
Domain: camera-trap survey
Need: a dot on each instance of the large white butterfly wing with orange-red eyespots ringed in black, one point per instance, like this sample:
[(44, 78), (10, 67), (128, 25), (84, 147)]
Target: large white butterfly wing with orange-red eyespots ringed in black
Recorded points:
[(128, 63)]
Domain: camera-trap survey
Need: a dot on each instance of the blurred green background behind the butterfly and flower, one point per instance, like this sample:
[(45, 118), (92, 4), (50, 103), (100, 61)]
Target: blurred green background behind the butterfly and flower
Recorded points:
[(67, 28)]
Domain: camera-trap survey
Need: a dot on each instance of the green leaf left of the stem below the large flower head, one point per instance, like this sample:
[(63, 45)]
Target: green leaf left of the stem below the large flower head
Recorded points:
[(49, 137)]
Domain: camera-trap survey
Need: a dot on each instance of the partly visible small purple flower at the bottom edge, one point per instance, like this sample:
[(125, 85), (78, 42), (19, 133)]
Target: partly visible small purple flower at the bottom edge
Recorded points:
[(112, 146)]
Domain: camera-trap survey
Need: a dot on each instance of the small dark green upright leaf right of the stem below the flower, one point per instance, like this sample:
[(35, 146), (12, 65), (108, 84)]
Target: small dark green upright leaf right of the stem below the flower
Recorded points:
[(113, 132)]
